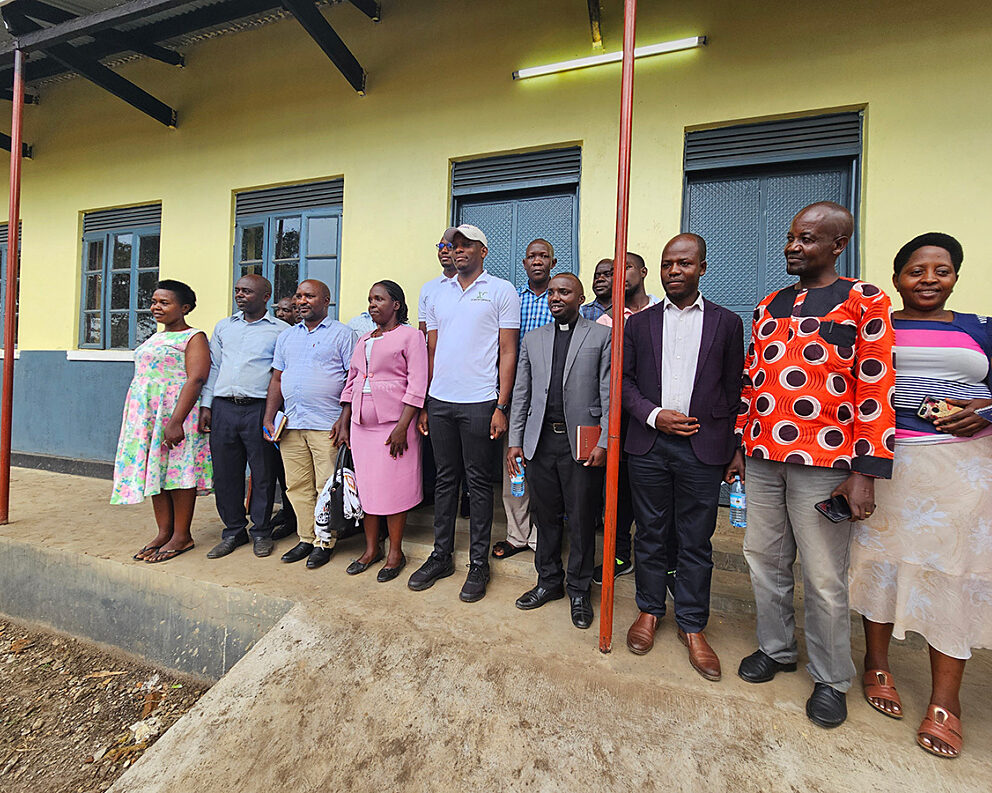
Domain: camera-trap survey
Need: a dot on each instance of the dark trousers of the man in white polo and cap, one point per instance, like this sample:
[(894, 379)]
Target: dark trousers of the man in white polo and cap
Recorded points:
[(459, 434)]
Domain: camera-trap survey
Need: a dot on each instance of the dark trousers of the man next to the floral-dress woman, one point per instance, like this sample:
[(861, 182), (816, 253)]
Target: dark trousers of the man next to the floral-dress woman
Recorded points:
[(236, 440)]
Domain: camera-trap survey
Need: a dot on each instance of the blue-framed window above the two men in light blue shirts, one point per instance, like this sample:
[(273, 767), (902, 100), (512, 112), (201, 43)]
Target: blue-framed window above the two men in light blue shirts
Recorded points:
[(289, 234)]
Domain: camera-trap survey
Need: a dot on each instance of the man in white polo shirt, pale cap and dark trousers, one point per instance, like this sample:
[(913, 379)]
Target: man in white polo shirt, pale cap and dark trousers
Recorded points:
[(472, 330)]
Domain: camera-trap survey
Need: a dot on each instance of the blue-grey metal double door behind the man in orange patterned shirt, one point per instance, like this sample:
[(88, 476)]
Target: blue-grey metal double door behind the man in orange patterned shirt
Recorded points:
[(744, 184)]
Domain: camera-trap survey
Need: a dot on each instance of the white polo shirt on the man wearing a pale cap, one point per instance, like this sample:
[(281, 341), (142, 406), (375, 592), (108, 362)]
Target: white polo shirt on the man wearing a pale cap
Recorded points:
[(468, 323)]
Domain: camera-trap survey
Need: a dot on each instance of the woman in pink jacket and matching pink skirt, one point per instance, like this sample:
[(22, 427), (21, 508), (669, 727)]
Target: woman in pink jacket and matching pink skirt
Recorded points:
[(385, 390)]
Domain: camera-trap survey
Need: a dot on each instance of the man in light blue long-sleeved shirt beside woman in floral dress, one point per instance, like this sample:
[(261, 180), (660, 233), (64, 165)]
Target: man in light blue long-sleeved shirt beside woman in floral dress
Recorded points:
[(232, 407)]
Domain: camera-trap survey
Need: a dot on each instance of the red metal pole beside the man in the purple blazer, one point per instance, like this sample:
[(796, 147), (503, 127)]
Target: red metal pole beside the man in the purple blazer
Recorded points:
[(616, 358)]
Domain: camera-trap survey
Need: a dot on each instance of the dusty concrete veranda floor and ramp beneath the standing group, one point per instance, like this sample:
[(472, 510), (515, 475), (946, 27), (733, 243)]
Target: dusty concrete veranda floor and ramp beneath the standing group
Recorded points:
[(365, 686)]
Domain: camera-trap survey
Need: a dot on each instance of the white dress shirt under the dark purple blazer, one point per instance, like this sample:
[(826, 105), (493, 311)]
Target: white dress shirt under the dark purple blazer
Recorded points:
[(681, 336)]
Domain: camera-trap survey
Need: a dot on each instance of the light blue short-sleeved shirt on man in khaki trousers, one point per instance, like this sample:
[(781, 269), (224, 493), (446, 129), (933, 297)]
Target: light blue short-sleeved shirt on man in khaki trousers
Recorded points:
[(314, 365)]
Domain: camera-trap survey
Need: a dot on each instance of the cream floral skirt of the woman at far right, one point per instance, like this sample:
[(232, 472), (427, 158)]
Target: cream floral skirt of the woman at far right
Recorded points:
[(923, 560)]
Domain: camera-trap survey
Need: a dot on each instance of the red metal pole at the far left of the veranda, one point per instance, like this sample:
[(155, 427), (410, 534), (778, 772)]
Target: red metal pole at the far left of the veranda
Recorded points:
[(10, 297)]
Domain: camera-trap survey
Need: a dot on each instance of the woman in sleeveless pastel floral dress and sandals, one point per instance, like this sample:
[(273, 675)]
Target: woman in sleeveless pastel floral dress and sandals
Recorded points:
[(161, 453)]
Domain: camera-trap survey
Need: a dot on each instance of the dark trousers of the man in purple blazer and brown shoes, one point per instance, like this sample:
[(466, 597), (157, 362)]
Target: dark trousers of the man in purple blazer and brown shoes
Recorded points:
[(673, 491)]
